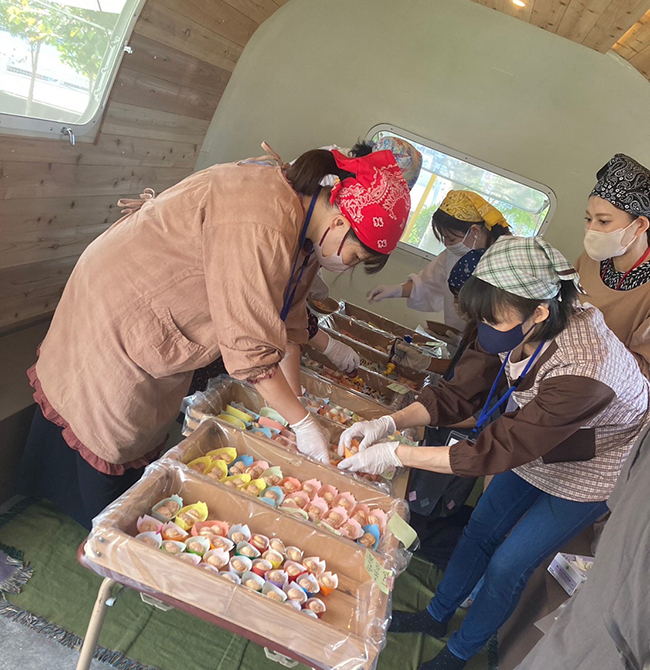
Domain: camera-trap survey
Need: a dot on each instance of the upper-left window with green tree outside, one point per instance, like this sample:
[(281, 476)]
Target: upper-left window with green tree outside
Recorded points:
[(58, 59)]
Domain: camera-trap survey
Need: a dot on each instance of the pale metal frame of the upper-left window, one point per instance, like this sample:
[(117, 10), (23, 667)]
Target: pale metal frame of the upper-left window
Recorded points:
[(25, 126)]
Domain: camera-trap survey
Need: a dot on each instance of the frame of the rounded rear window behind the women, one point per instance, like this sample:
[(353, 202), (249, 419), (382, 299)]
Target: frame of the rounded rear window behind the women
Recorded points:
[(502, 172)]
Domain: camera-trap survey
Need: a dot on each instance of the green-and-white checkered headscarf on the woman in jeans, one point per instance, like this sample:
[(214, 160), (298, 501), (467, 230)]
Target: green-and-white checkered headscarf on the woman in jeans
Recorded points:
[(526, 266)]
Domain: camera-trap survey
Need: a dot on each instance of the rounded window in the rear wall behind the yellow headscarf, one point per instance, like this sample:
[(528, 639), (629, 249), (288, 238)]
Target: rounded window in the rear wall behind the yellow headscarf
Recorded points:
[(526, 205)]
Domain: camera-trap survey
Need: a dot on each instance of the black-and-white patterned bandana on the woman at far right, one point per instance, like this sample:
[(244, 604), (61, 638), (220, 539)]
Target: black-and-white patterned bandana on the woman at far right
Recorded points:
[(626, 184)]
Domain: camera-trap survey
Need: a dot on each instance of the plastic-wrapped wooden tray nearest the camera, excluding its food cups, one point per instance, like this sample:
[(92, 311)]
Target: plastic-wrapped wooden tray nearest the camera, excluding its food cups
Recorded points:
[(350, 634)]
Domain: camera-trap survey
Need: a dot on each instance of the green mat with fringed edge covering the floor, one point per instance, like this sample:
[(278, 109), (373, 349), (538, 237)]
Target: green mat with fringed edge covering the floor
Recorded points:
[(59, 597)]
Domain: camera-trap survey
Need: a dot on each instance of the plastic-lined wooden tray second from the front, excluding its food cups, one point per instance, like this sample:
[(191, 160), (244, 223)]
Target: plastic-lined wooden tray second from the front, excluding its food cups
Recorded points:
[(211, 435)]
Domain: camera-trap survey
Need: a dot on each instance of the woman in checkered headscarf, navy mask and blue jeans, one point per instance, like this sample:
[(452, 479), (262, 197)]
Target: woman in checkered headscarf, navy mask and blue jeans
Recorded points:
[(579, 400)]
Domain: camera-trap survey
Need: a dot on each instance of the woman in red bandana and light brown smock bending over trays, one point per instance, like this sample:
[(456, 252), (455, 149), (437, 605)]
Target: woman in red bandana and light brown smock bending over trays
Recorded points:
[(219, 264)]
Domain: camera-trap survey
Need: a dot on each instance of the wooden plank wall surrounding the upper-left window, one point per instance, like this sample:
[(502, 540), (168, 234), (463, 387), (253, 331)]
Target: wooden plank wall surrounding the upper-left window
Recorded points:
[(56, 198)]
